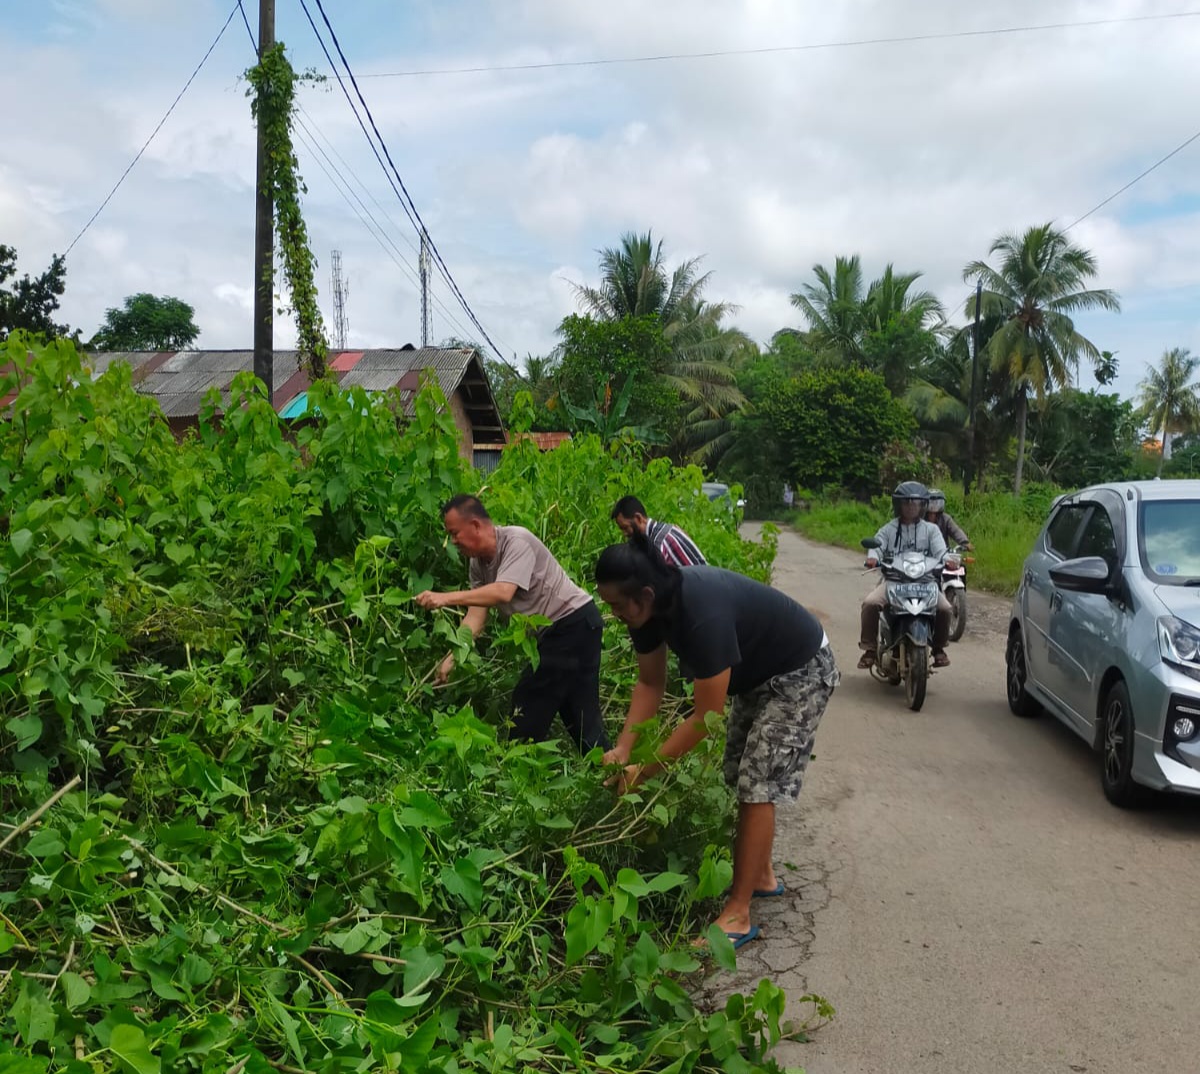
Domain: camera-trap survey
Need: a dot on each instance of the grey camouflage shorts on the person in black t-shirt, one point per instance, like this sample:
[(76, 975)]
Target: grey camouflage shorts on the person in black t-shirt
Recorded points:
[(771, 730)]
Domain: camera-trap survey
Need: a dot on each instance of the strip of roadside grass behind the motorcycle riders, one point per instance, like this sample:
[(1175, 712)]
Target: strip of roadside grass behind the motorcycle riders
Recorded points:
[(1003, 529)]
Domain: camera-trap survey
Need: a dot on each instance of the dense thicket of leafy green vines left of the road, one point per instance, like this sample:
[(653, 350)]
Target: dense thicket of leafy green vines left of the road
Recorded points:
[(279, 847)]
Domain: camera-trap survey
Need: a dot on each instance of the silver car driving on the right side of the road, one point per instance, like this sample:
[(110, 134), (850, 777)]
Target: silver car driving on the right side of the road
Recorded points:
[(1106, 632)]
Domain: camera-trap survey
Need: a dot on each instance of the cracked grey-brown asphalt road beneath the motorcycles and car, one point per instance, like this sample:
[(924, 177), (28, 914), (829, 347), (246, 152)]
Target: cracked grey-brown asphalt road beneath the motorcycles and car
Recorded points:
[(961, 890)]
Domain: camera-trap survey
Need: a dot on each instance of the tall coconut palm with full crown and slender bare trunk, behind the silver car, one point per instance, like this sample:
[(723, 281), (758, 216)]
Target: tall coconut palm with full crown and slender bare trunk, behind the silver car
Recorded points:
[(1035, 290)]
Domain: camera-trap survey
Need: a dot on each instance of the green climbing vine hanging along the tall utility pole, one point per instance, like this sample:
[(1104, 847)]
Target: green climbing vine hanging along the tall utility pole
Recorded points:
[(273, 105)]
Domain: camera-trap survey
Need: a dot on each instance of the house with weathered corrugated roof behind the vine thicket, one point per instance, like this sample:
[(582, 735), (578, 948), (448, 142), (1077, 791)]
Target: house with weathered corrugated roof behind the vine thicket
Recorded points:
[(179, 381)]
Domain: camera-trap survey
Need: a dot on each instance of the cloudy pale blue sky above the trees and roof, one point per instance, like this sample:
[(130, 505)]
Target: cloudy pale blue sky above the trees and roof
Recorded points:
[(916, 153)]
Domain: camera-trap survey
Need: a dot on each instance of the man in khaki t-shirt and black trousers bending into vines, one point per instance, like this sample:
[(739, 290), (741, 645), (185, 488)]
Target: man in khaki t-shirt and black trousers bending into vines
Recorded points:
[(514, 572)]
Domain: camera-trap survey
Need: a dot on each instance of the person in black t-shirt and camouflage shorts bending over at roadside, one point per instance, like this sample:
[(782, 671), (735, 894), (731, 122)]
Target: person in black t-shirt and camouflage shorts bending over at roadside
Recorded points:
[(739, 639)]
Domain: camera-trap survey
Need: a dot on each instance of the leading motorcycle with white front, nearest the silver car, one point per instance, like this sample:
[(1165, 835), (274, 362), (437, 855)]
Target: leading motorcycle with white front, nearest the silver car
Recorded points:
[(907, 625)]
